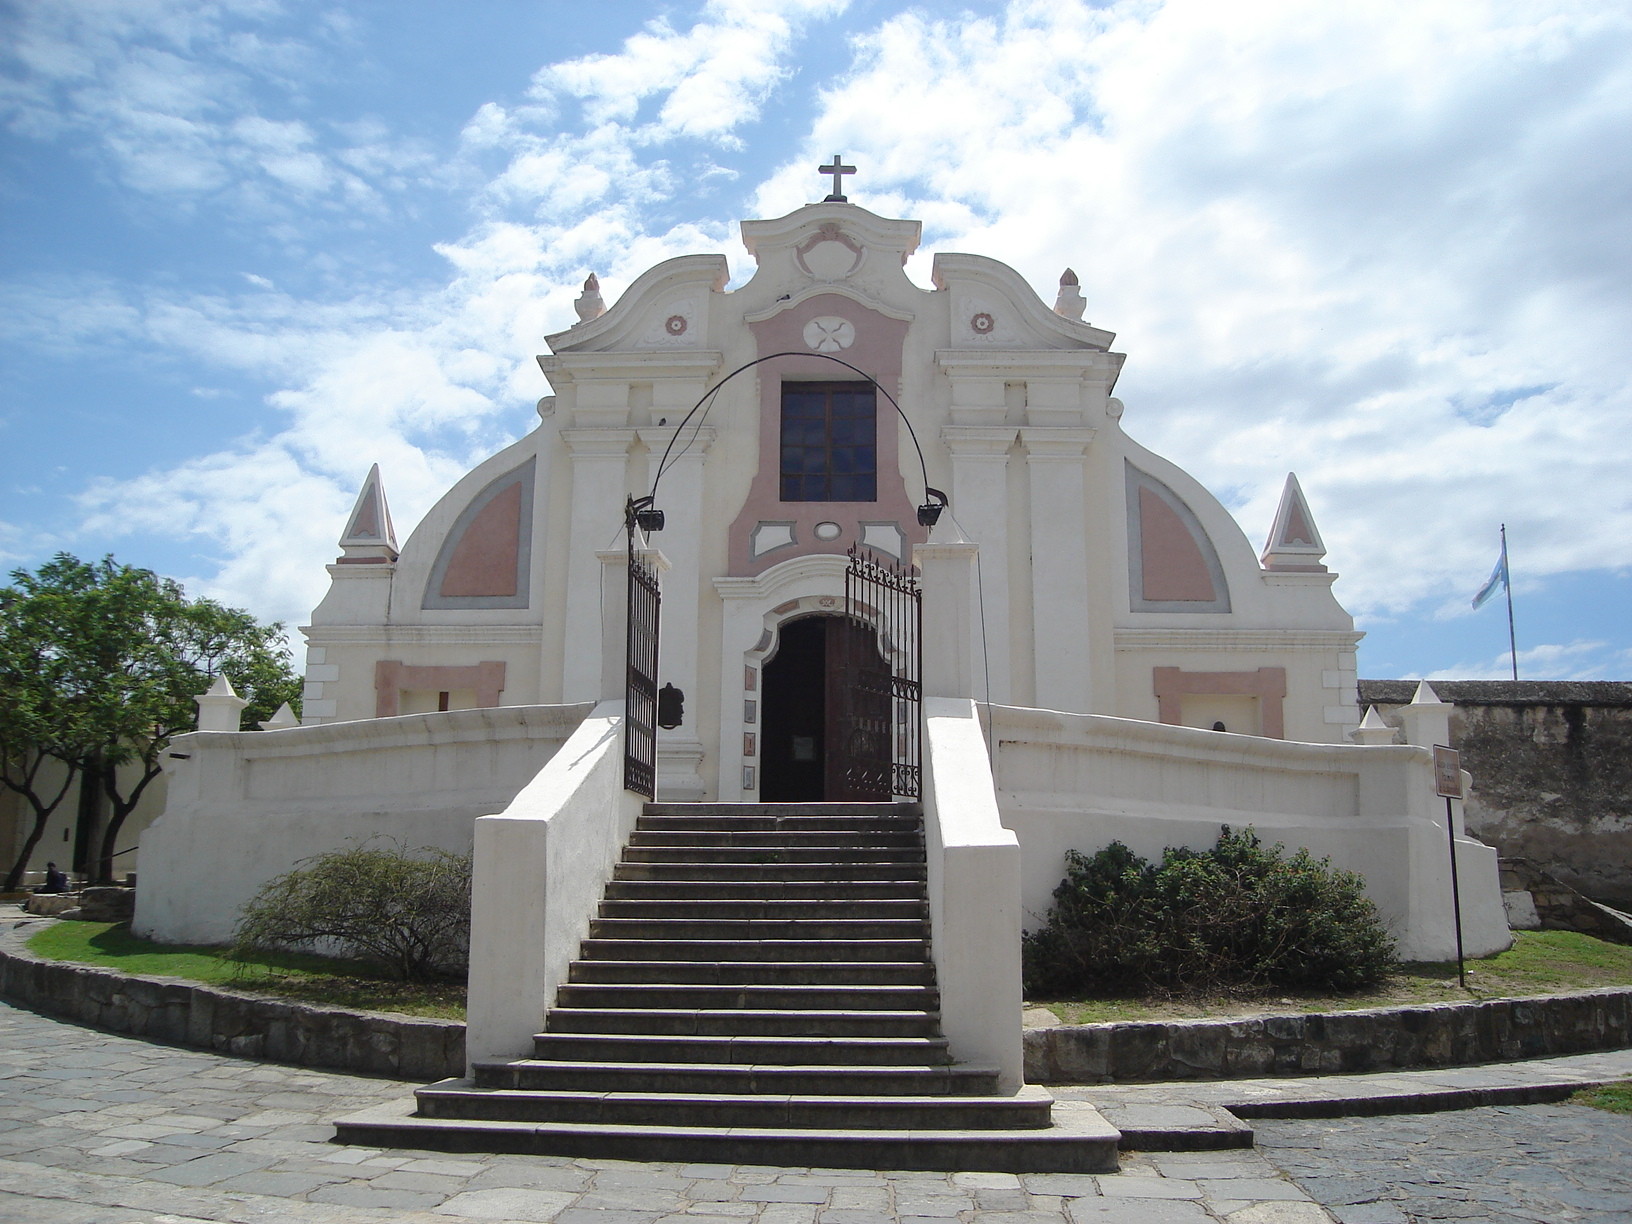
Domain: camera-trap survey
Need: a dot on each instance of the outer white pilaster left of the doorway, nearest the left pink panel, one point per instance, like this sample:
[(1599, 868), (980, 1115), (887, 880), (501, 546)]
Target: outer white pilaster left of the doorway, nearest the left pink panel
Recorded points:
[(600, 490)]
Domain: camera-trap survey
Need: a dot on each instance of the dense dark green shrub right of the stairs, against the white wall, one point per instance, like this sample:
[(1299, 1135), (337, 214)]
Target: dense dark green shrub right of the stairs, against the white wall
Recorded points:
[(1236, 918)]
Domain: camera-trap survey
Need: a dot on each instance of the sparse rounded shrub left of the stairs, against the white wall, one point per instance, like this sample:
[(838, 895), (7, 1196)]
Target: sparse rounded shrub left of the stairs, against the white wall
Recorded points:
[(406, 913)]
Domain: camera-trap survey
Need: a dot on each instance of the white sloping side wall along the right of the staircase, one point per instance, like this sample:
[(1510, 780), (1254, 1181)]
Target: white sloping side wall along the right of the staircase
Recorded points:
[(973, 895)]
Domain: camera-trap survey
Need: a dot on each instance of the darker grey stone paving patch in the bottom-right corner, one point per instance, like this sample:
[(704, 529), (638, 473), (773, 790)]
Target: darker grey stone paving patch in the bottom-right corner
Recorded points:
[(1497, 1166)]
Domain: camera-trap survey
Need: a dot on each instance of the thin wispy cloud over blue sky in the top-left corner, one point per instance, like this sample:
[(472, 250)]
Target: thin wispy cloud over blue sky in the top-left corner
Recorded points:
[(169, 97)]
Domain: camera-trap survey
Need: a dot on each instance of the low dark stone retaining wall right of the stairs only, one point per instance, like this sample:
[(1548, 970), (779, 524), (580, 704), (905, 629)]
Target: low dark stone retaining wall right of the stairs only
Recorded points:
[(1439, 1036)]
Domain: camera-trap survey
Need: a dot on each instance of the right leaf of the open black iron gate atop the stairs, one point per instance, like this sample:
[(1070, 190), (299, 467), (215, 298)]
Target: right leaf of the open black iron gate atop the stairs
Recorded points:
[(882, 703)]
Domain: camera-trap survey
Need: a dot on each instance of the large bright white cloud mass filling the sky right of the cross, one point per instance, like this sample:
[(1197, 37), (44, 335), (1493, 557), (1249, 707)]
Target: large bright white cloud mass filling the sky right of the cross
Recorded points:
[(1334, 239)]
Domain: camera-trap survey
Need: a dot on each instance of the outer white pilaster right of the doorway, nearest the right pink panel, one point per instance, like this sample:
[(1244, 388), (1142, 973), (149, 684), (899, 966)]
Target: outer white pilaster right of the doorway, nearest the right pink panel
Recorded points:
[(1060, 567)]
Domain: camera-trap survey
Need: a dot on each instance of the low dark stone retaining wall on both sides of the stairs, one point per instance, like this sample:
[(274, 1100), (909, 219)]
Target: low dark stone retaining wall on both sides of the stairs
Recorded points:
[(1439, 1036)]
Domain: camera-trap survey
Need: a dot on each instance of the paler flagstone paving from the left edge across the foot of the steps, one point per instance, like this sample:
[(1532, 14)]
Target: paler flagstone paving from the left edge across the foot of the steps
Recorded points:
[(113, 1130)]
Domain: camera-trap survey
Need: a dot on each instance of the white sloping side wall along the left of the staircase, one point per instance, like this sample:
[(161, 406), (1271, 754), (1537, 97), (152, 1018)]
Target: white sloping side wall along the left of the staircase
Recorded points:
[(541, 869)]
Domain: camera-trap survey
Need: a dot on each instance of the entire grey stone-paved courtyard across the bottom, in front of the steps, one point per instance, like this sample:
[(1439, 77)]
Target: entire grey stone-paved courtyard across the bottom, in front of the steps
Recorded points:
[(112, 1130)]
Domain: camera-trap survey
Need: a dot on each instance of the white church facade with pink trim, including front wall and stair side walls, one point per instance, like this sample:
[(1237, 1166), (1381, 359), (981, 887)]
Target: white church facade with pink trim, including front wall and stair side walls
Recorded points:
[(1104, 652)]
